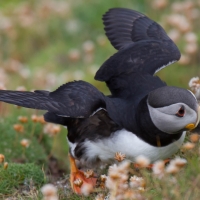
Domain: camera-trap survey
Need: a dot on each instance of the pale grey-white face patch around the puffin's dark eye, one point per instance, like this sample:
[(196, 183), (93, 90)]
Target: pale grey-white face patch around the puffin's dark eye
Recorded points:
[(173, 118)]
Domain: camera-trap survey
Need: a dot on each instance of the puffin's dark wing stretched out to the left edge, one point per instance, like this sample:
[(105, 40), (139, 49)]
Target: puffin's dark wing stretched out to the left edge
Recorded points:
[(74, 99)]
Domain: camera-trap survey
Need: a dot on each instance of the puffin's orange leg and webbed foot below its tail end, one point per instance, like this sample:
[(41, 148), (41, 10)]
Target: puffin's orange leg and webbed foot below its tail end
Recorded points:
[(79, 179)]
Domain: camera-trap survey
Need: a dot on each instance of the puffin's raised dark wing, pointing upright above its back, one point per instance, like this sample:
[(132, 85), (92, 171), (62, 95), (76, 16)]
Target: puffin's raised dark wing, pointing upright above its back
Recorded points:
[(142, 43)]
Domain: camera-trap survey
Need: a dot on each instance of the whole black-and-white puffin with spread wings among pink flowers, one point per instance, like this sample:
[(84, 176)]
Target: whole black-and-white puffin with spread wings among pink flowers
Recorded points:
[(141, 116)]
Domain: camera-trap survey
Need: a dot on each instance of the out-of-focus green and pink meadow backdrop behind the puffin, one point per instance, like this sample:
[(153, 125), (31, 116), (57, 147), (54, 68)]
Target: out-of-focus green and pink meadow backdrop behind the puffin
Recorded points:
[(46, 43)]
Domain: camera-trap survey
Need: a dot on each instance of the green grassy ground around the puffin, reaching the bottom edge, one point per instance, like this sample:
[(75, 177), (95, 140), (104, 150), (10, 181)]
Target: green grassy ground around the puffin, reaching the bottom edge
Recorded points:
[(45, 43)]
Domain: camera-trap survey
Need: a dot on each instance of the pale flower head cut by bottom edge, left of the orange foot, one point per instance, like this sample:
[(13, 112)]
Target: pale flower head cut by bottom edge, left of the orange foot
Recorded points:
[(49, 192)]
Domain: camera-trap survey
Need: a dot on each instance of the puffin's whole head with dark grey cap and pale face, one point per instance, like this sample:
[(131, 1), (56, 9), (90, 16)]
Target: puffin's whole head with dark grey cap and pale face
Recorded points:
[(173, 110)]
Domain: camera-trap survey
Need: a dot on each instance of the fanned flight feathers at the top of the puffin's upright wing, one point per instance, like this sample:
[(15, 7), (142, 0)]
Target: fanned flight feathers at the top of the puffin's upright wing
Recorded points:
[(124, 27)]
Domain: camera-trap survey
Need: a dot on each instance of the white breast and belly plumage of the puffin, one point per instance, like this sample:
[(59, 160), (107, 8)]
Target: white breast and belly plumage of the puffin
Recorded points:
[(129, 144)]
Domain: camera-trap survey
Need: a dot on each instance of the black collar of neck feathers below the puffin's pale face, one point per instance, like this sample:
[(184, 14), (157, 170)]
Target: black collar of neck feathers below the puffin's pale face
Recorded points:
[(152, 135)]
